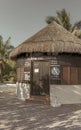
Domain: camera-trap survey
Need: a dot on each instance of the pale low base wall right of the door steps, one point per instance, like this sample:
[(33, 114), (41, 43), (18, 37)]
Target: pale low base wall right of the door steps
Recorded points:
[(65, 94)]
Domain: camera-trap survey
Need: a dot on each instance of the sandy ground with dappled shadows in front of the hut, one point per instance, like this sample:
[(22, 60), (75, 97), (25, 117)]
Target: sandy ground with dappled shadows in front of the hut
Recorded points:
[(19, 115)]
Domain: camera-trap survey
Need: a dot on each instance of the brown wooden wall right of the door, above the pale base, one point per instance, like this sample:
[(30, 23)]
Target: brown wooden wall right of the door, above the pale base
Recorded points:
[(69, 70)]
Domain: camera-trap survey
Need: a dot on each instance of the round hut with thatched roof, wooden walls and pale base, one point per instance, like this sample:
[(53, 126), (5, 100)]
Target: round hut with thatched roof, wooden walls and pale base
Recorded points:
[(49, 65)]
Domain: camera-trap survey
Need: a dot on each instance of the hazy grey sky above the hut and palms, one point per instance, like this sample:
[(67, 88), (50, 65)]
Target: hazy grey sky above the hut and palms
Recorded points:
[(20, 19)]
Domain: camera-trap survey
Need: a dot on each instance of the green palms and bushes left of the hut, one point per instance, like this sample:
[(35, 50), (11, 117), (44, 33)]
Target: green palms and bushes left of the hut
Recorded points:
[(7, 66)]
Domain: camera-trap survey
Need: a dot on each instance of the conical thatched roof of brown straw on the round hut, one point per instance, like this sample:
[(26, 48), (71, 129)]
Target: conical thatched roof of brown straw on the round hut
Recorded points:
[(53, 38)]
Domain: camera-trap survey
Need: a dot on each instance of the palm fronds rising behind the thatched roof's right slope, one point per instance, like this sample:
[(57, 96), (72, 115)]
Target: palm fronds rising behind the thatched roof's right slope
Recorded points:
[(63, 18)]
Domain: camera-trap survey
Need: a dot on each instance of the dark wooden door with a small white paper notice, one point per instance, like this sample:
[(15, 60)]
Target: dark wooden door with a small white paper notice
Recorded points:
[(40, 76)]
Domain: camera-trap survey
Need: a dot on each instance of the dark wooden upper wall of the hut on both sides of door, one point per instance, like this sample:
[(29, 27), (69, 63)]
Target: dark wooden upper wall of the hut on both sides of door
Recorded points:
[(68, 68)]
